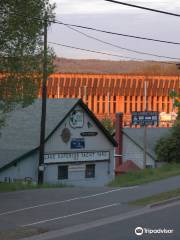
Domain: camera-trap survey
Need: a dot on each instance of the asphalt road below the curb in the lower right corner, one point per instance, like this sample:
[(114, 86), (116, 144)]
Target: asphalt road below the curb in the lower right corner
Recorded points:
[(162, 219)]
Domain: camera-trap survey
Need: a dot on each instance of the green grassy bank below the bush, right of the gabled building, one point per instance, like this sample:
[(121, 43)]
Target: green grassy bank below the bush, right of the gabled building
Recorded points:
[(146, 175)]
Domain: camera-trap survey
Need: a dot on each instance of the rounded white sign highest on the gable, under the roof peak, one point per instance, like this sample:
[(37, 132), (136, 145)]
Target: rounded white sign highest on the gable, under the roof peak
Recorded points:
[(76, 119)]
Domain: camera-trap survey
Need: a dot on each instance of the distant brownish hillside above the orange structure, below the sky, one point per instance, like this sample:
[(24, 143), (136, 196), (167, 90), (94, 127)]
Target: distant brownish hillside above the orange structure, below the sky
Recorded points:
[(103, 66)]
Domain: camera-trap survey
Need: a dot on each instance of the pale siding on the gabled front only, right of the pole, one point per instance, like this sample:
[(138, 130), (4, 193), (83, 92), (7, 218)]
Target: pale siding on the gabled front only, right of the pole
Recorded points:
[(104, 170)]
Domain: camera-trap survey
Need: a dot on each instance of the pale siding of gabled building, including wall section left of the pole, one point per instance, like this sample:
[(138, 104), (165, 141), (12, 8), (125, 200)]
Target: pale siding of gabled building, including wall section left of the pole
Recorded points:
[(104, 171)]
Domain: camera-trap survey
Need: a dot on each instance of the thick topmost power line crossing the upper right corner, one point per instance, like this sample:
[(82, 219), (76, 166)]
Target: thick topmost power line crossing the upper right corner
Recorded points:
[(144, 8)]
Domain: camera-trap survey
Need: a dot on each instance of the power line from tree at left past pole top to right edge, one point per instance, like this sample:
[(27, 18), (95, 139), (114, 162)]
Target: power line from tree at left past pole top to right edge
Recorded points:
[(102, 31)]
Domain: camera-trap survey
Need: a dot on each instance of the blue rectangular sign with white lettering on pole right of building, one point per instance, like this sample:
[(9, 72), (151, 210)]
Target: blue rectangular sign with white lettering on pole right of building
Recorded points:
[(145, 118)]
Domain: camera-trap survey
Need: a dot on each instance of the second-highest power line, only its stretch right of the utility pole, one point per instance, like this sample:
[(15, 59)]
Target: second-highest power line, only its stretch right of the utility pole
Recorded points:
[(118, 34)]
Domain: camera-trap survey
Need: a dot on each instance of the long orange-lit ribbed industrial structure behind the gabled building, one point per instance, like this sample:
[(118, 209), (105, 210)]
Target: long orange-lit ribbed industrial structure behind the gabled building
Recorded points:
[(106, 94)]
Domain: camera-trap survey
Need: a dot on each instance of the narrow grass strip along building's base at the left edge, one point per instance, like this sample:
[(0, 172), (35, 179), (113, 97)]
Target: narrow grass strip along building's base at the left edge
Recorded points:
[(17, 186)]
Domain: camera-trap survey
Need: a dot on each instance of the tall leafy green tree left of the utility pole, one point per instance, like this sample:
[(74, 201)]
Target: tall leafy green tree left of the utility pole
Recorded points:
[(21, 51)]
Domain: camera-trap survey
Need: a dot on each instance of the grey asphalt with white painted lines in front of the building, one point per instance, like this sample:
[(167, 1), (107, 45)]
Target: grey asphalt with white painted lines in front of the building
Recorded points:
[(54, 209)]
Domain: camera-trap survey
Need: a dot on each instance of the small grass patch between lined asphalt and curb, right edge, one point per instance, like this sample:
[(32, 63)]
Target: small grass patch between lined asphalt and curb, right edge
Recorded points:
[(156, 198)]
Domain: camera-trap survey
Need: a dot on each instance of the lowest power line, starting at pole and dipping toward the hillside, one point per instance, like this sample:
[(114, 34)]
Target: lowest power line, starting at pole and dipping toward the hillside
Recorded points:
[(105, 53)]
